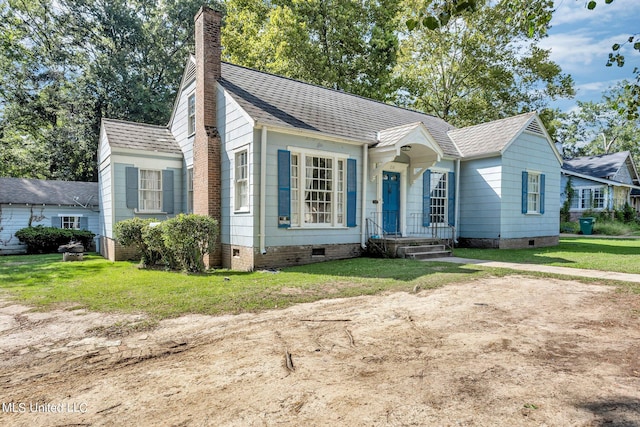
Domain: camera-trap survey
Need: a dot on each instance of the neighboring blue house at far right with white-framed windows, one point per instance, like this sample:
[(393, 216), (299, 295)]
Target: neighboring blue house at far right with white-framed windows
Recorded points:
[(600, 183)]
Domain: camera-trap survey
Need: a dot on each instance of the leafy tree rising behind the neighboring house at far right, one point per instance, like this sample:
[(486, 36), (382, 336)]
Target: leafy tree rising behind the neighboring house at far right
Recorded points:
[(602, 127)]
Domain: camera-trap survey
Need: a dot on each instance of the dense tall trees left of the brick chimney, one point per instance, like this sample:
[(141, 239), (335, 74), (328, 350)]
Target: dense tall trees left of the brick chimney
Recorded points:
[(65, 64)]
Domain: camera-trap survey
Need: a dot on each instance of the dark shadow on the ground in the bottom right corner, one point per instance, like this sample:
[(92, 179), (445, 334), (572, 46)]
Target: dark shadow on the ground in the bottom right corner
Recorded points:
[(622, 411)]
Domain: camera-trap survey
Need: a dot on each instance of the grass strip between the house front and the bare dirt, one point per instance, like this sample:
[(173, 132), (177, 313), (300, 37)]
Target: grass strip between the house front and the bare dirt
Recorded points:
[(100, 285)]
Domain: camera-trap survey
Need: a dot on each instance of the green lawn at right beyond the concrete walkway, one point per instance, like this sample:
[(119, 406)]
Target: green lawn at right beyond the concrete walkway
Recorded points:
[(621, 255)]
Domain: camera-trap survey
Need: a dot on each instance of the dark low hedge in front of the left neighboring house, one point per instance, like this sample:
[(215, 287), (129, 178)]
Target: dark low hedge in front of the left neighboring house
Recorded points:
[(44, 240)]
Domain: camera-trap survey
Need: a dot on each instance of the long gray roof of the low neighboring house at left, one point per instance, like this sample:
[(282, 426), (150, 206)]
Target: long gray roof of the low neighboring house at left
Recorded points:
[(47, 192)]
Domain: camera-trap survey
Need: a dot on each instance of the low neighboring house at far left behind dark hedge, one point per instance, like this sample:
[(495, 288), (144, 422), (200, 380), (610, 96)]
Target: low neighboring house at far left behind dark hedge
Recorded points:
[(32, 202)]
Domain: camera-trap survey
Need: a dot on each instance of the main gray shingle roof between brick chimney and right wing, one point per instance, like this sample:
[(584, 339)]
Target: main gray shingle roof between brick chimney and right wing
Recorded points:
[(283, 102)]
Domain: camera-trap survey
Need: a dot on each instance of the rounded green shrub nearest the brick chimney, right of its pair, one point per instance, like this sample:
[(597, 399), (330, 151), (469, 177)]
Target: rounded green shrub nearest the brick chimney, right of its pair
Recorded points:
[(190, 238)]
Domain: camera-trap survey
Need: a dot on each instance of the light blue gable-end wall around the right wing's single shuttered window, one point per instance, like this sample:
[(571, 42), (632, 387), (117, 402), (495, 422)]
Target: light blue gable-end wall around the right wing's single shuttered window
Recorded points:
[(532, 153)]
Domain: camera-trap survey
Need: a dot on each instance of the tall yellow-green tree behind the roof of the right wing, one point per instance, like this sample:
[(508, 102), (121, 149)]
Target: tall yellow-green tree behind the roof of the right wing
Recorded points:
[(477, 67)]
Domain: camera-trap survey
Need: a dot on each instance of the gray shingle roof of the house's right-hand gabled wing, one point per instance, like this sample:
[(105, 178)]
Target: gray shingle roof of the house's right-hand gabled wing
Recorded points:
[(489, 137)]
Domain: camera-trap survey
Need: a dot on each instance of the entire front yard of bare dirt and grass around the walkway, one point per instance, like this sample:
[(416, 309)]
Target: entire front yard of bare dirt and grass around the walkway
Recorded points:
[(110, 344)]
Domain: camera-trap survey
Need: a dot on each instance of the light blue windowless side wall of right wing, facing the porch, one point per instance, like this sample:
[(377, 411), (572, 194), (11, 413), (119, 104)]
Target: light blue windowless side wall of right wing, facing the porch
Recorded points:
[(480, 198)]
